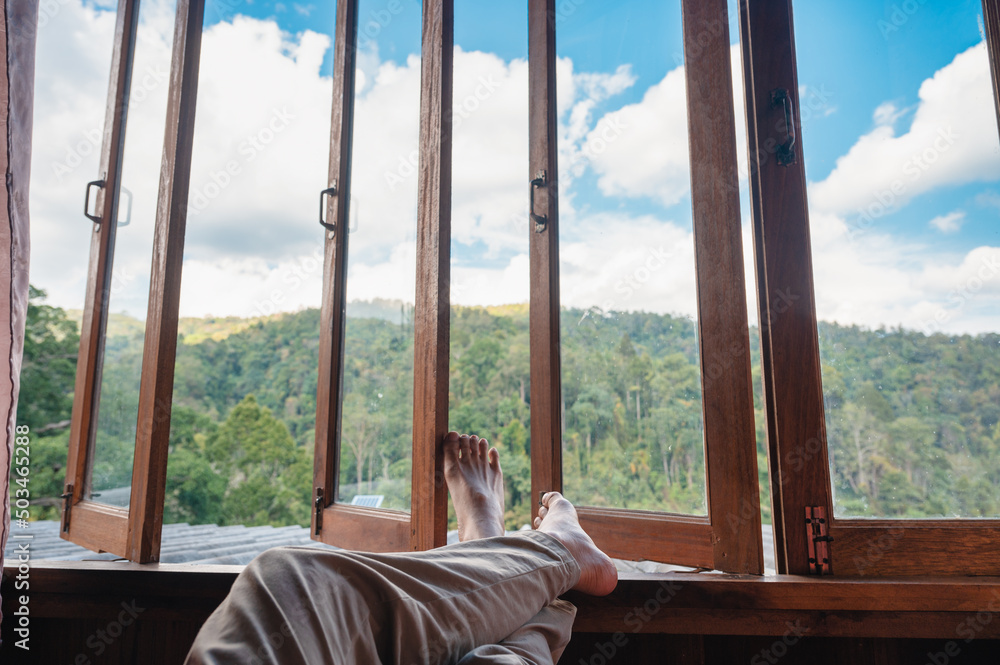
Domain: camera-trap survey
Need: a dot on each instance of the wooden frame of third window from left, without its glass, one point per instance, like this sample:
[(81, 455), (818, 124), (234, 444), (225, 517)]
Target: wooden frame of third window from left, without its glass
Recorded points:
[(729, 538)]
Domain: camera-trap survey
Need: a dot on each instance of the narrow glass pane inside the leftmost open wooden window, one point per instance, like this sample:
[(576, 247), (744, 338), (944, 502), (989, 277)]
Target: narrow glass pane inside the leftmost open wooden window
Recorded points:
[(128, 295)]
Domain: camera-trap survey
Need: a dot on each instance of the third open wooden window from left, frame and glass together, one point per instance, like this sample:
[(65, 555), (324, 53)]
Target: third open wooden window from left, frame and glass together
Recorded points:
[(726, 536)]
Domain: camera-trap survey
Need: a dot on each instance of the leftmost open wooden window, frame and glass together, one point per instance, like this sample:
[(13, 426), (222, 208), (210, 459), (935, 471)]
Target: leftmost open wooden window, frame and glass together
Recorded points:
[(121, 411)]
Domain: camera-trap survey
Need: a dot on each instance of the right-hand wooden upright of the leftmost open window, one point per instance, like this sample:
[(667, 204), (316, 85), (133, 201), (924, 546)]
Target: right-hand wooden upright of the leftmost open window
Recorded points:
[(156, 387)]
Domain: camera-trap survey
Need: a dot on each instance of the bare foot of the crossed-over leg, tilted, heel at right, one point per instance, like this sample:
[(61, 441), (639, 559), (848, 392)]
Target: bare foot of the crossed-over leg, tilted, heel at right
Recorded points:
[(557, 517)]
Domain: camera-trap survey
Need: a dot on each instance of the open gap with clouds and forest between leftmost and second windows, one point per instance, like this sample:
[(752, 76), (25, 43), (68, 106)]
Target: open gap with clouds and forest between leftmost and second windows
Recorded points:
[(244, 403)]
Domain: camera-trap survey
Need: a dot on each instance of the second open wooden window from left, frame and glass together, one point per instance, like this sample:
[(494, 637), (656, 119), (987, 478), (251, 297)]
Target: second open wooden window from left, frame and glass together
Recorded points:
[(335, 521)]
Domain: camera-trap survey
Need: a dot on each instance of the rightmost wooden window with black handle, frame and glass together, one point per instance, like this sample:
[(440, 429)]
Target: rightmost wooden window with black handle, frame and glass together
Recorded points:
[(822, 523)]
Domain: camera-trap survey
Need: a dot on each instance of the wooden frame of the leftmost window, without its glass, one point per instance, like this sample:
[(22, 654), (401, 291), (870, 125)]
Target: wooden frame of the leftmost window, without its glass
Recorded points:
[(134, 532)]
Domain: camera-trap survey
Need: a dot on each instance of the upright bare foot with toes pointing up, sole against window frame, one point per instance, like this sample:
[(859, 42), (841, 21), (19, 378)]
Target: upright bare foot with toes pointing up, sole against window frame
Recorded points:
[(472, 470)]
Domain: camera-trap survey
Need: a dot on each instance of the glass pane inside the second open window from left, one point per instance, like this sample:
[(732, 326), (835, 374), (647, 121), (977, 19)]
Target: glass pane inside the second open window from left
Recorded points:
[(377, 421)]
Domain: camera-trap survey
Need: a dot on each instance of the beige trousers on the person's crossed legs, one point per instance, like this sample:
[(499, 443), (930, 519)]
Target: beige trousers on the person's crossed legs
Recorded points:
[(482, 601)]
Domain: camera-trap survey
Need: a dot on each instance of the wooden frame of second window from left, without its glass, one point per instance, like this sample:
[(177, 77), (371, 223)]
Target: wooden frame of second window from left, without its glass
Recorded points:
[(425, 526)]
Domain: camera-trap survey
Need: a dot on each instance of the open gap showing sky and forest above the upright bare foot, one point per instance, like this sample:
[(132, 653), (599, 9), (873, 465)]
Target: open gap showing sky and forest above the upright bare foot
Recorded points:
[(489, 280)]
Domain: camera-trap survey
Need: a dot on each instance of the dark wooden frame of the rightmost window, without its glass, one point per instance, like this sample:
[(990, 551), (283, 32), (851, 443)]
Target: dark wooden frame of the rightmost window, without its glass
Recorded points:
[(793, 393)]
